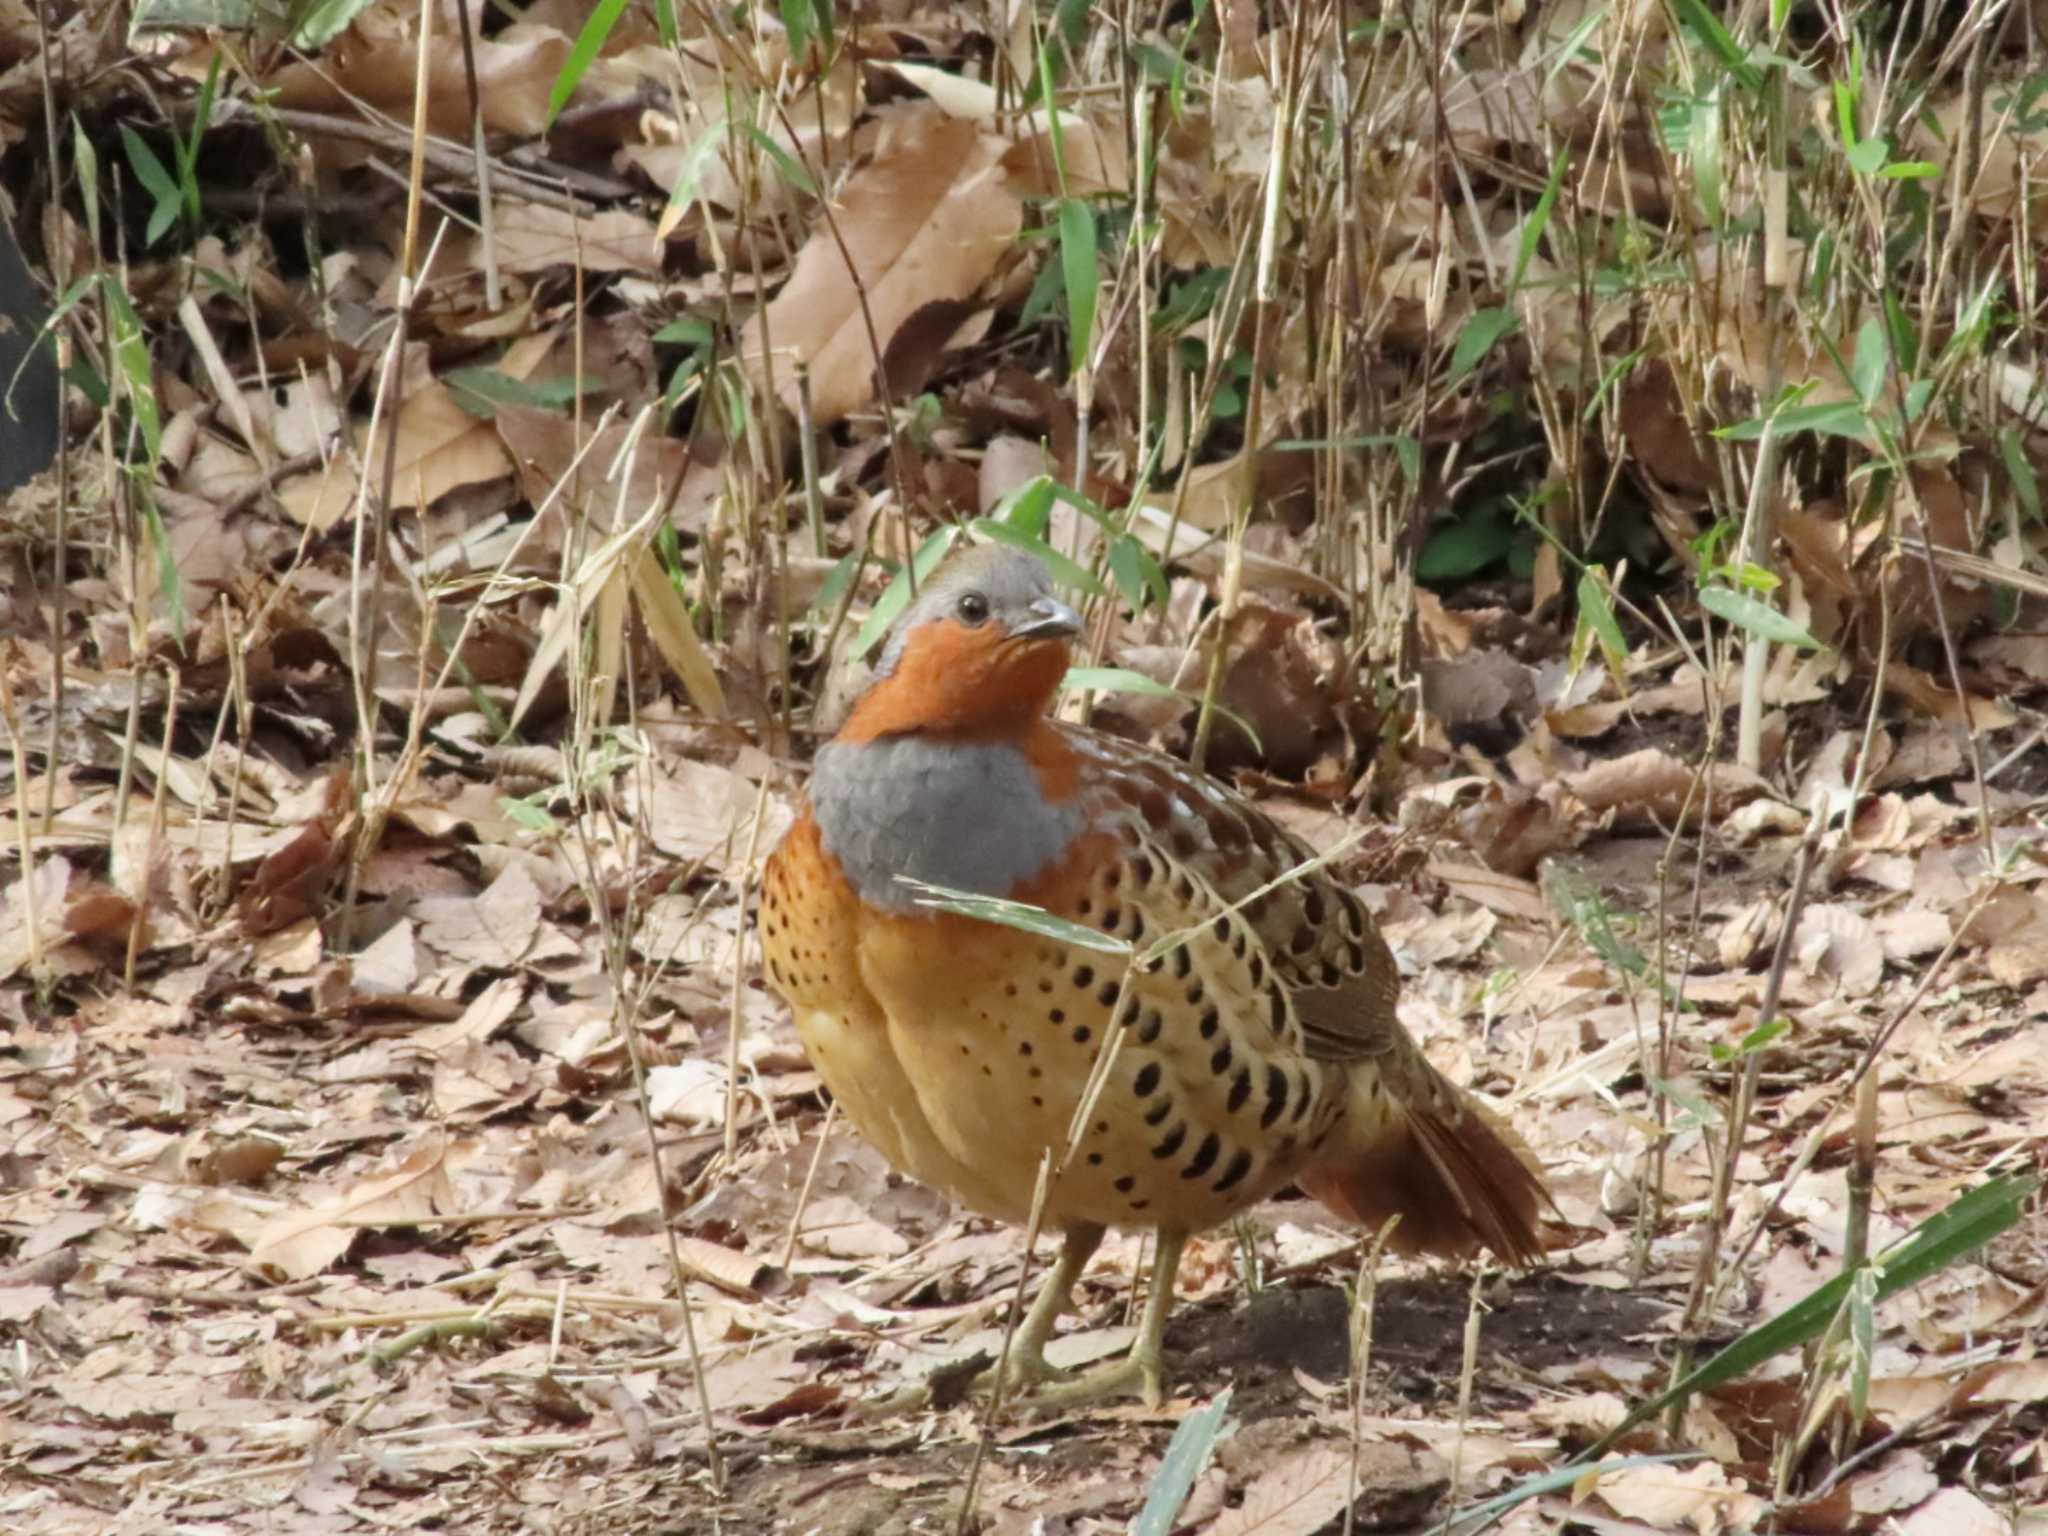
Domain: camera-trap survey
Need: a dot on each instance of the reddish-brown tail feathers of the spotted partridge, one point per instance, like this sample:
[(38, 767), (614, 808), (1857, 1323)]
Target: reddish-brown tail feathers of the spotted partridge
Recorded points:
[(1453, 1170)]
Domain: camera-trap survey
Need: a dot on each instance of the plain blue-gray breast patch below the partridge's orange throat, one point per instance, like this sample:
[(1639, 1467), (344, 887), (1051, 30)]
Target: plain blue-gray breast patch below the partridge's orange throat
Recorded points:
[(964, 816)]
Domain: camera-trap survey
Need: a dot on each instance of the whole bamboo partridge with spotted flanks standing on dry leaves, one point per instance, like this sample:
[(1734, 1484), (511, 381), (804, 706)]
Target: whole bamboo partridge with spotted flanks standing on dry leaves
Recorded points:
[(1252, 1023)]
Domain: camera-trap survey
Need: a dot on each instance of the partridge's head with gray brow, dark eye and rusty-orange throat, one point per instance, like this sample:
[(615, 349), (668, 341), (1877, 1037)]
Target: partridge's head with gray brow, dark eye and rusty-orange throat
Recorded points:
[(976, 656)]
